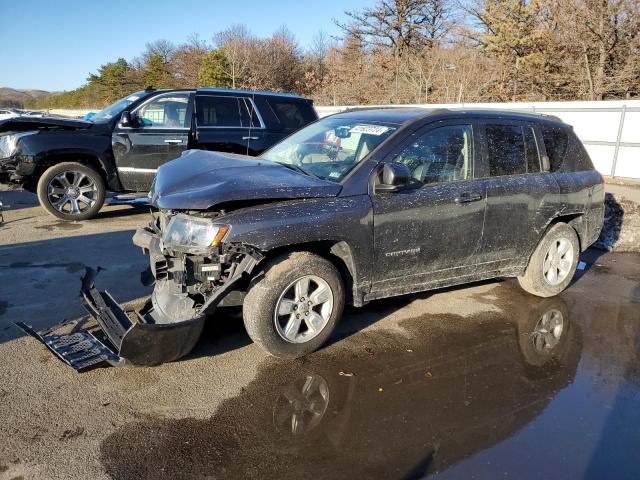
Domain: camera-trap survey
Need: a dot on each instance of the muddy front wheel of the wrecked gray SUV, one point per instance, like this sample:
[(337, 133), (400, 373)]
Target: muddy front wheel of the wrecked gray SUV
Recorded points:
[(294, 306)]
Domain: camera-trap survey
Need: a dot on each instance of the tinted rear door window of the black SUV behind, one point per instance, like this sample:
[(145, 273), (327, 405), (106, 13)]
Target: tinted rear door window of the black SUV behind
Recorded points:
[(213, 111)]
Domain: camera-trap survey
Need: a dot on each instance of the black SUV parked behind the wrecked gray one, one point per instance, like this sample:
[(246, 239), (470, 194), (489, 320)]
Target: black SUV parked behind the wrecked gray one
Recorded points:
[(71, 164)]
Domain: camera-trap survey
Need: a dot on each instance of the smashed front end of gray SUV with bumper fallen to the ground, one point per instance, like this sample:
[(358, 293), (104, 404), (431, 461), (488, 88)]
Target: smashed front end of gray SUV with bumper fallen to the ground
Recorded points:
[(187, 288)]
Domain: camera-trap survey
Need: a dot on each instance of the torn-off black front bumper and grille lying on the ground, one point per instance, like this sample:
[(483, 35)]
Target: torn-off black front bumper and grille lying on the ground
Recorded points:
[(119, 340)]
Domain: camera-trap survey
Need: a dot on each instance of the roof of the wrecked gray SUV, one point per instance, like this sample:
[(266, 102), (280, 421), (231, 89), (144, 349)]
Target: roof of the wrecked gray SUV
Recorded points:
[(402, 115)]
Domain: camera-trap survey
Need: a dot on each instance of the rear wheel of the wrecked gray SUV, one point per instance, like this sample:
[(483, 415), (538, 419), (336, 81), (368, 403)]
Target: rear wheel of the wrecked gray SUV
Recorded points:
[(553, 263)]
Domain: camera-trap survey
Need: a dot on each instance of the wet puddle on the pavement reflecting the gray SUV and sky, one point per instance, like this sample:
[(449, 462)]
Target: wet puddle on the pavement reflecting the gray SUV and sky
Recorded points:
[(546, 388)]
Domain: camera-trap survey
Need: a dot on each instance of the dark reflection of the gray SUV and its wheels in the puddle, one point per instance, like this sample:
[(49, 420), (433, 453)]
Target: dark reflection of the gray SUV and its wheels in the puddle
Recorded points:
[(483, 392)]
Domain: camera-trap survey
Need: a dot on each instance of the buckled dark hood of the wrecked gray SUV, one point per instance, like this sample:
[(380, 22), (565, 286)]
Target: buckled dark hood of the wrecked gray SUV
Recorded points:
[(199, 180)]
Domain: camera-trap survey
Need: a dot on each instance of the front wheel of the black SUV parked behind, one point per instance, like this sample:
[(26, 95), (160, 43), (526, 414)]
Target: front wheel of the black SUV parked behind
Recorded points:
[(71, 191)]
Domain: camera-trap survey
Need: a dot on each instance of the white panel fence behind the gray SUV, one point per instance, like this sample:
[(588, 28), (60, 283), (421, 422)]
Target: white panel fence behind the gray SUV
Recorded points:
[(610, 130)]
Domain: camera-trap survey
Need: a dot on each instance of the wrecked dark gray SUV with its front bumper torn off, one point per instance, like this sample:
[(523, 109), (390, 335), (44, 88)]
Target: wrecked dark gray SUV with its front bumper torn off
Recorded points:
[(357, 206)]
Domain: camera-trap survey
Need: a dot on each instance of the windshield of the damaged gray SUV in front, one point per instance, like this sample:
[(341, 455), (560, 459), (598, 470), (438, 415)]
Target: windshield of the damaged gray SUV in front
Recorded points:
[(330, 148)]
